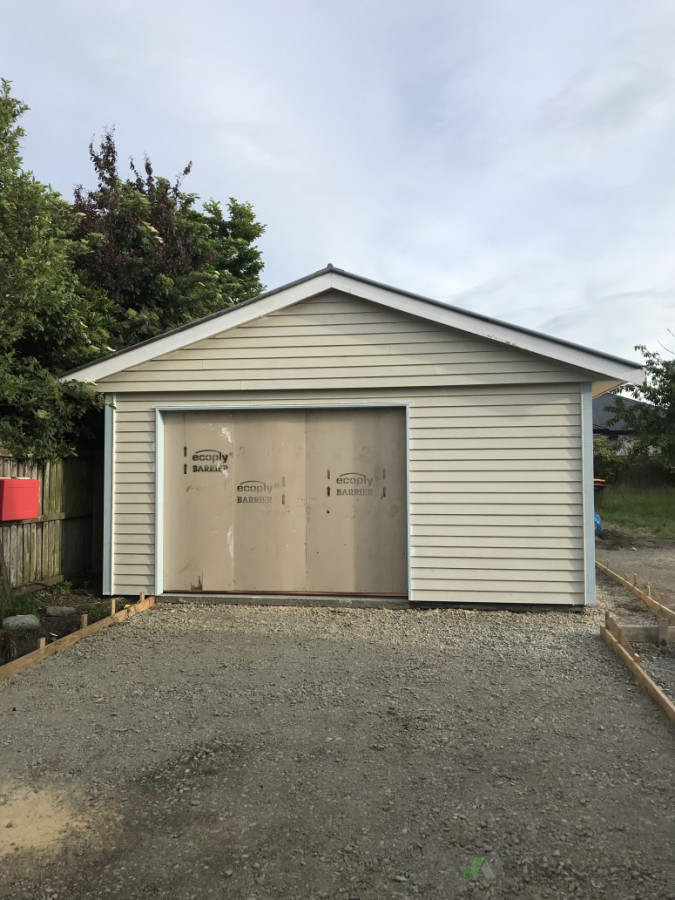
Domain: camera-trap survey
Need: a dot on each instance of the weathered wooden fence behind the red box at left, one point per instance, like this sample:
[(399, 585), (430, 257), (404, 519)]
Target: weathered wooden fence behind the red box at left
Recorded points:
[(66, 538)]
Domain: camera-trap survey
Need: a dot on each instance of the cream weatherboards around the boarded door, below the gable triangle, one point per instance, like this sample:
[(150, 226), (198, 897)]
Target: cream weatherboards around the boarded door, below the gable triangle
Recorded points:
[(495, 515)]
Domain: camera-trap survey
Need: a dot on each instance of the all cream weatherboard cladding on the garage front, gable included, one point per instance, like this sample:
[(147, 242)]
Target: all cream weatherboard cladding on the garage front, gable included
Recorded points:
[(495, 440)]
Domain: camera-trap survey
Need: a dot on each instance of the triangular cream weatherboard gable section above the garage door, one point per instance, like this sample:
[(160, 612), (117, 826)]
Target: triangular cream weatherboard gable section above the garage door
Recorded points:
[(338, 342)]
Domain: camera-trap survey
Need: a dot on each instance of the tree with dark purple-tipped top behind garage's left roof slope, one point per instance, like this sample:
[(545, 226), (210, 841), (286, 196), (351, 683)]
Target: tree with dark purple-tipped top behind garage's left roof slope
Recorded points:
[(160, 261)]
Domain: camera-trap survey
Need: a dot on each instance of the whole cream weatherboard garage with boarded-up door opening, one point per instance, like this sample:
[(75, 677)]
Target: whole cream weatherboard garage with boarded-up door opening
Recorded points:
[(341, 437)]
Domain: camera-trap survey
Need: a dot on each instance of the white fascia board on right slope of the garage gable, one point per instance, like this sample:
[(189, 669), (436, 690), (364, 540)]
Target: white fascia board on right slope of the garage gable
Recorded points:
[(493, 331)]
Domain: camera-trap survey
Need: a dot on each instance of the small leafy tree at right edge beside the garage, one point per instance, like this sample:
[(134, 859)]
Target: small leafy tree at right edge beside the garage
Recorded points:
[(653, 423)]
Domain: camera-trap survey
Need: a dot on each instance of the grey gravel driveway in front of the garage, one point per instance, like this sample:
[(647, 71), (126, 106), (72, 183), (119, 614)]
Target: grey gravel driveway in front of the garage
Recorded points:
[(243, 752)]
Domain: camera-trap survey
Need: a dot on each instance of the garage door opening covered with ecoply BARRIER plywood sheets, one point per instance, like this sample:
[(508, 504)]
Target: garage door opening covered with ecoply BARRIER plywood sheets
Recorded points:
[(286, 501)]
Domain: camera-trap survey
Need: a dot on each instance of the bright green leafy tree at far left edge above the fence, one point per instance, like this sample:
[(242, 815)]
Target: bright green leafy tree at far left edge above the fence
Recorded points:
[(45, 323)]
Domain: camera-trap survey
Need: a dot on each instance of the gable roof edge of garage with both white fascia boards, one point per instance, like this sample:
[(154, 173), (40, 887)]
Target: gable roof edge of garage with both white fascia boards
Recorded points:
[(613, 369)]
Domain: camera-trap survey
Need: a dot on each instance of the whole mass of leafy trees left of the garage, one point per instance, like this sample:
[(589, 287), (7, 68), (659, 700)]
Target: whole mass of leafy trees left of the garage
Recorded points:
[(127, 261)]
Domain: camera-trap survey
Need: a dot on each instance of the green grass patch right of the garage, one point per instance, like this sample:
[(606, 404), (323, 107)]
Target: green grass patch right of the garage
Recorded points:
[(638, 513)]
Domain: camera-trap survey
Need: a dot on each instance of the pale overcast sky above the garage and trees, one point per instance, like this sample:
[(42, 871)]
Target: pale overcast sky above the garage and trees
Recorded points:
[(513, 157)]
